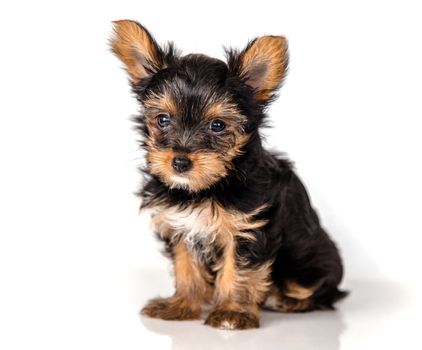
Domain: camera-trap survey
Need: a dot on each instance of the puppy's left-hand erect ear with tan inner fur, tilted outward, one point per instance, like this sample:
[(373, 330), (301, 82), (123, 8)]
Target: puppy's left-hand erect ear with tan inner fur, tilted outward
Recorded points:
[(137, 49)]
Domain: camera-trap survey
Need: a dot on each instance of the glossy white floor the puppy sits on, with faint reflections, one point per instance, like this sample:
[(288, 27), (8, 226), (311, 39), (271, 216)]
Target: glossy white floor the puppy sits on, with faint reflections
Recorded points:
[(100, 313)]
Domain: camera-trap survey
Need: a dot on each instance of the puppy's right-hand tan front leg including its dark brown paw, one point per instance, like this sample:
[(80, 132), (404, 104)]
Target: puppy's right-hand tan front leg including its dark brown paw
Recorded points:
[(238, 292)]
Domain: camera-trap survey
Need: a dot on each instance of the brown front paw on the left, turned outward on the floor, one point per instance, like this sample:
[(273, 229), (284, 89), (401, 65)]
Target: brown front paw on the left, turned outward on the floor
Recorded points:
[(170, 309)]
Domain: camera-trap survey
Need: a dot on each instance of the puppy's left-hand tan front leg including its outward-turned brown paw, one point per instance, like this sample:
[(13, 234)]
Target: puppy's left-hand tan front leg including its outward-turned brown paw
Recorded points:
[(191, 289)]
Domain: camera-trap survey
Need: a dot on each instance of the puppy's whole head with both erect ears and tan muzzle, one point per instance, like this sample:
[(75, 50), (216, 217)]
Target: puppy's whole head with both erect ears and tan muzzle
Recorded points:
[(198, 113)]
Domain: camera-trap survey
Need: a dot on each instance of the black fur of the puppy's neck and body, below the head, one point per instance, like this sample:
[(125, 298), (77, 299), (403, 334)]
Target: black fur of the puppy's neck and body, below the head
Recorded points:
[(294, 236)]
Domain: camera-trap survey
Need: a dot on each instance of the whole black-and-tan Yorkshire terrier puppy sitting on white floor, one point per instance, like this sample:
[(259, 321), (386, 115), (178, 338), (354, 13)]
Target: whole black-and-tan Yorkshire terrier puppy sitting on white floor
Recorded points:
[(235, 219)]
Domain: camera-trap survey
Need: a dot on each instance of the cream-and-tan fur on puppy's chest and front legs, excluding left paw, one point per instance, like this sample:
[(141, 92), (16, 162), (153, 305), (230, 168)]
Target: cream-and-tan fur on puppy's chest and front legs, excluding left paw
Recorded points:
[(238, 289)]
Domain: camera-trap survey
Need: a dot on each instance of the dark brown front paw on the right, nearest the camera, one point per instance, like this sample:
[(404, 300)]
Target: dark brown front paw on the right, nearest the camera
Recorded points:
[(232, 320)]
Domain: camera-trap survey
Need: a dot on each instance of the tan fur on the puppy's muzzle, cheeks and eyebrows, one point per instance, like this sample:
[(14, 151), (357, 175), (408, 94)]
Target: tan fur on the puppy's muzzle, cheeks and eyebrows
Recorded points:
[(208, 167)]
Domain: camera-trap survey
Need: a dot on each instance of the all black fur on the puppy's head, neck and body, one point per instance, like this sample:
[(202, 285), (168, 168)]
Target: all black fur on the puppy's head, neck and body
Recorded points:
[(293, 237)]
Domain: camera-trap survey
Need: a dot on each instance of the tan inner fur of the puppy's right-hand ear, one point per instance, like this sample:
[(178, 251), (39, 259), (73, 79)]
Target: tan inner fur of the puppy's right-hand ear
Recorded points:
[(270, 53)]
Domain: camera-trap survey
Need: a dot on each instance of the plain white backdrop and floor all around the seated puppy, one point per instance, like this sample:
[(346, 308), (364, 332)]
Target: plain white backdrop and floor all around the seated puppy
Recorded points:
[(77, 261)]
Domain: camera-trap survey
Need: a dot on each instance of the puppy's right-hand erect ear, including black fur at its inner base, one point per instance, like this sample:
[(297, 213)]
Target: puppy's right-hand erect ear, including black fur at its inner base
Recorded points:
[(262, 65)]
